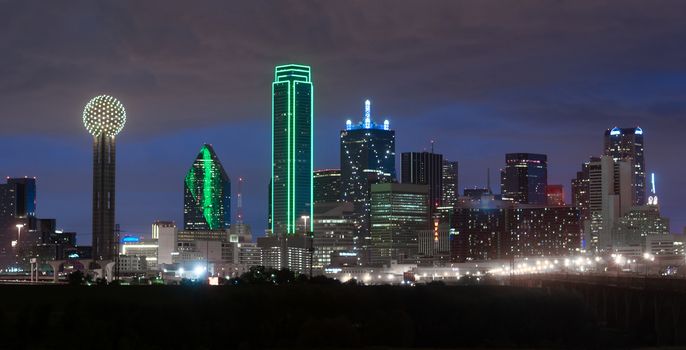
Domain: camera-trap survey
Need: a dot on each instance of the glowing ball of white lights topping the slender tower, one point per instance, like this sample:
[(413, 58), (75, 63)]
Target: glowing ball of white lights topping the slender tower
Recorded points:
[(104, 114)]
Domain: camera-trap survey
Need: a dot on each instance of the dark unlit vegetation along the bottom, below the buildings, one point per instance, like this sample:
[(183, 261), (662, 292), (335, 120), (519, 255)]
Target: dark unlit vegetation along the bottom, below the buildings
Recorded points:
[(292, 316)]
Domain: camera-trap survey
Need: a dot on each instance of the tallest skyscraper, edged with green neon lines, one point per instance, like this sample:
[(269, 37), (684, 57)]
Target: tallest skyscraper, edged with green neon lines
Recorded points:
[(292, 121)]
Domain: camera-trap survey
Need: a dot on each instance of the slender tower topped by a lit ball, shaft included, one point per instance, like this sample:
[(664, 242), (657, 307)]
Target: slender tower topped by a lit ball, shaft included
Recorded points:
[(104, 117)]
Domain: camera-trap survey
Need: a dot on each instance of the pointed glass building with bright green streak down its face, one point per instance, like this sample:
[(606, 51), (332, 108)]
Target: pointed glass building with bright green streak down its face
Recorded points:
[(207, 193)]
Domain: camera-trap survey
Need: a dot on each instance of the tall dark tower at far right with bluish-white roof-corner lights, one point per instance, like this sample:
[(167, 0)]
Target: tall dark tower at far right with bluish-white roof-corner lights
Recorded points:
[(627, 144)]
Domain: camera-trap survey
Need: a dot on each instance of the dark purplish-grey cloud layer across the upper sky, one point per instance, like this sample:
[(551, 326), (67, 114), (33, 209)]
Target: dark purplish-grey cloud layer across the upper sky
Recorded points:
[(213, 59)]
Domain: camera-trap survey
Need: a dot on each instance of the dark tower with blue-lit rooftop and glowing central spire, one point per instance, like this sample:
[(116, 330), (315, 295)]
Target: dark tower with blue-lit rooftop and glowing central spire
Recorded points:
[(367, 157)]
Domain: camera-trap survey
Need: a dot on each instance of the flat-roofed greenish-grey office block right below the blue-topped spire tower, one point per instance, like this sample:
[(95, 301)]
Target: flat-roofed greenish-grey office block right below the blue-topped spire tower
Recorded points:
[(398, 213)]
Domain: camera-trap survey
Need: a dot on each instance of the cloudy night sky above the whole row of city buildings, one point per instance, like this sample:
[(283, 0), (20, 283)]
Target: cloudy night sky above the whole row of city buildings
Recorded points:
[(481, 78)]
